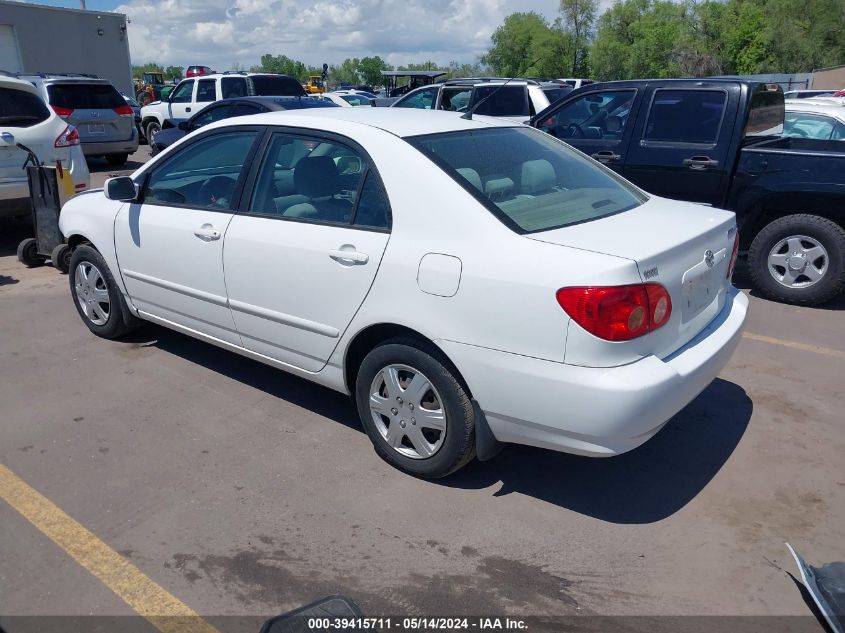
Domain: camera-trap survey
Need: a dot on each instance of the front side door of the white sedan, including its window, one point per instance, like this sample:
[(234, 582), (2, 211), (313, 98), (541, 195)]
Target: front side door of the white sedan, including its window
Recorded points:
[(169, 244)]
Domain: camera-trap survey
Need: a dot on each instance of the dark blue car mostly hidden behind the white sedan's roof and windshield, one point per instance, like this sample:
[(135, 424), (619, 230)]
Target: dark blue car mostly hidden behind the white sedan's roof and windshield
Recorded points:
[(228, 108)]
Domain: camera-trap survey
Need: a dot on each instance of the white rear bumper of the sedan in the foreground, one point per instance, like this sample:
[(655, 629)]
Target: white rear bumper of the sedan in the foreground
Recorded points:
[(595, 411)]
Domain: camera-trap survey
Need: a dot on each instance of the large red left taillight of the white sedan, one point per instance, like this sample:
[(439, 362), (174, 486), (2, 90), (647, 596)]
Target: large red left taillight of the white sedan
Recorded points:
[(617, 313)]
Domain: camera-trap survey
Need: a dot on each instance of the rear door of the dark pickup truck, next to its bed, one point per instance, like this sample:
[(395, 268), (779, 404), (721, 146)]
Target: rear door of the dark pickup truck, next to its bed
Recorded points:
[(682, 142)]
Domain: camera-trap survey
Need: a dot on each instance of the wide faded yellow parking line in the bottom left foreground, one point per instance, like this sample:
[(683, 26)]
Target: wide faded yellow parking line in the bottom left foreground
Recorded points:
[(164, 611)]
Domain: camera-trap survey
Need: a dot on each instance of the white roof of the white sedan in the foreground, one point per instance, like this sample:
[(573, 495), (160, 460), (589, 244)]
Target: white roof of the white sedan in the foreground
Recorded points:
[(402, 122)]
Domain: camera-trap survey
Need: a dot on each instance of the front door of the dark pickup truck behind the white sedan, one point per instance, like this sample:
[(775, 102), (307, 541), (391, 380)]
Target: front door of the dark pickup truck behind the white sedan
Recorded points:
[(598, 123)]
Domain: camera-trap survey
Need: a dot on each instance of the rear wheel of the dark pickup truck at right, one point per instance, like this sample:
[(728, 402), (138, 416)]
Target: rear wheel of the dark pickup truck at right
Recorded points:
[(799, 259)]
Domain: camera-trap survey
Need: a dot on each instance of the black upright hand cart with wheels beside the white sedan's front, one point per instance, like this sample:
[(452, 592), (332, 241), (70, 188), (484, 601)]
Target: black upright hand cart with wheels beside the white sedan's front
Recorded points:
[(47, 198)]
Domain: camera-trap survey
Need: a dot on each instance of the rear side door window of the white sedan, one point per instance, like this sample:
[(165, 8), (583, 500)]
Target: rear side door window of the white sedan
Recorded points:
[(320, 180)]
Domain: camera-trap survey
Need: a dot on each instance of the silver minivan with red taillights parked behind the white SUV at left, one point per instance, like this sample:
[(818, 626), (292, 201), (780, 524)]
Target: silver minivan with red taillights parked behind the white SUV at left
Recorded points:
[(103, 119)]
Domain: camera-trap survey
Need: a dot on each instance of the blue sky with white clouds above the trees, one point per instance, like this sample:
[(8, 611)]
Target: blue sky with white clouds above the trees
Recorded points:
[(222, 33)]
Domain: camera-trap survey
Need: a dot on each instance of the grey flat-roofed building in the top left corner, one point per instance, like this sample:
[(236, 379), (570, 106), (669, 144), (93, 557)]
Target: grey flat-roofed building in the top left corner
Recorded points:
[(37, 38)]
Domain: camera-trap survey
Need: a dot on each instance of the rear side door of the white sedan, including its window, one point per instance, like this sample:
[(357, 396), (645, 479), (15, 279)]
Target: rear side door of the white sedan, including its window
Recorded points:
[(302, 254)]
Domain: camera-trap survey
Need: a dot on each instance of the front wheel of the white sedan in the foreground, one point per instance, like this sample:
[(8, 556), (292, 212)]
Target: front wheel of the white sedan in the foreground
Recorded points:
[(95, 294)]
